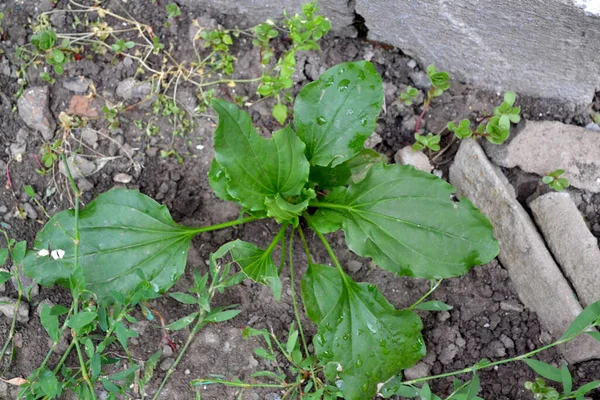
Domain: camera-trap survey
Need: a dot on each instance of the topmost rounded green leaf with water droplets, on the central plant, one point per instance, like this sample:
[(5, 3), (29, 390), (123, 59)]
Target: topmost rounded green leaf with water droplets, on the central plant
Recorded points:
[(336, 114)]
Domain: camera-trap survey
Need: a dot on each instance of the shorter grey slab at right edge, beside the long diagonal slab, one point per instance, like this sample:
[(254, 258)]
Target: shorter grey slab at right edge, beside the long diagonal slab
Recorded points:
[(573, 245)]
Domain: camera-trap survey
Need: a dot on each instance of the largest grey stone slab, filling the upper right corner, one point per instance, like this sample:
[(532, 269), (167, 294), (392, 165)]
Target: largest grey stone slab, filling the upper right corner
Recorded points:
[(540, 48)]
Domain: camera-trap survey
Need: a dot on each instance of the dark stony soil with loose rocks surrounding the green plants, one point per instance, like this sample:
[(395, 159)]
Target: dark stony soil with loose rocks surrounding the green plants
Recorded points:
[(488, 319)]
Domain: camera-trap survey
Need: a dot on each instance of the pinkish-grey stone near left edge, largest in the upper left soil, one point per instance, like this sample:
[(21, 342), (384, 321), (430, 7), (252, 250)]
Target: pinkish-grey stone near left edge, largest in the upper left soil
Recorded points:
[(33, 109)]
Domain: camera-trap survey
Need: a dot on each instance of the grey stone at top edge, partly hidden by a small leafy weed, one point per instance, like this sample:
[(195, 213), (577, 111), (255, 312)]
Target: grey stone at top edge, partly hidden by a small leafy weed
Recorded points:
[(339, 12)]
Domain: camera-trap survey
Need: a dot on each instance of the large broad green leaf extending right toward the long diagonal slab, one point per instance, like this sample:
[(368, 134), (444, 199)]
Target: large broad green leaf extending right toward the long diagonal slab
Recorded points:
[(406, 221)]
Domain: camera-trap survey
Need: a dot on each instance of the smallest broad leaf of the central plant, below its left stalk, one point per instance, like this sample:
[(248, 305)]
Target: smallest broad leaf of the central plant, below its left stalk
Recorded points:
[(256, 263)]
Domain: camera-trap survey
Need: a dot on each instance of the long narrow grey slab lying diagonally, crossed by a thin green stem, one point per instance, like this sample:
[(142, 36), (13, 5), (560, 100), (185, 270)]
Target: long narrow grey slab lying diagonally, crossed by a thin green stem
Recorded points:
[(537, 278)]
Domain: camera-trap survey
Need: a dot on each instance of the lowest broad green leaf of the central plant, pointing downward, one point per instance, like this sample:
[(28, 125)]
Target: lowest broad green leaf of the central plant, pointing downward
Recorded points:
[(359, 330)]
